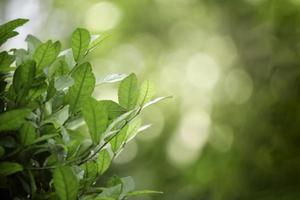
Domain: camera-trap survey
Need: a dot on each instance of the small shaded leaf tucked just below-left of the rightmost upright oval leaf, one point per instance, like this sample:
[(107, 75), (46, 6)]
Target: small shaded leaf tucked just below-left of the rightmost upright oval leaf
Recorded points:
[(113, 109)]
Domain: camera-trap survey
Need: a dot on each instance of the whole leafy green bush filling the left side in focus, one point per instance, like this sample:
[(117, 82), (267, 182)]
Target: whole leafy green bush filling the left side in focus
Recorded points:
[(46, 94)]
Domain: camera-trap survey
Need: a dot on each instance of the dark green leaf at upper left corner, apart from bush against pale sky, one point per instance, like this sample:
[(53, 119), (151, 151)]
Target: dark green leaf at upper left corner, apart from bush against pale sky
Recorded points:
[(7, 29)]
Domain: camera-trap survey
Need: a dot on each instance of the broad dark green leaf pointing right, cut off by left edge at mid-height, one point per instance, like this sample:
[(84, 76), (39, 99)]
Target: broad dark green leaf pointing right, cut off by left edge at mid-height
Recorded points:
[(12, 120)]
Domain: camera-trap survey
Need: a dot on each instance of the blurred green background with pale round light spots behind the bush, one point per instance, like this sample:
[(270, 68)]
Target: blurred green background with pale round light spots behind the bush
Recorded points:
[(232, 129)]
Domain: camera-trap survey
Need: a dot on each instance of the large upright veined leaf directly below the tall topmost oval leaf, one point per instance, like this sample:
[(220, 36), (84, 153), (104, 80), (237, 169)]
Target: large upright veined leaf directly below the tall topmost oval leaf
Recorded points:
[(84, 84)]
